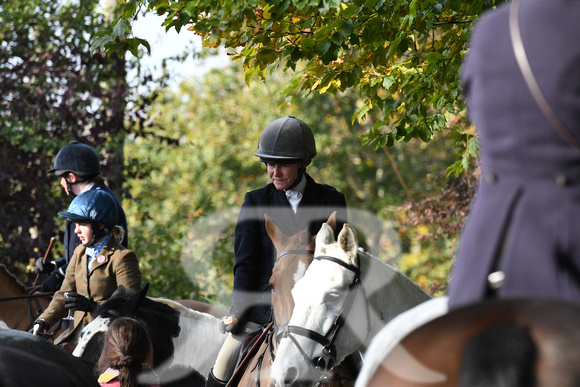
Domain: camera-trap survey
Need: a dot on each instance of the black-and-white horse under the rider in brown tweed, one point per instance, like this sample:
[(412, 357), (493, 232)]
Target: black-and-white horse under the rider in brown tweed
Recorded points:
[(185, 342)]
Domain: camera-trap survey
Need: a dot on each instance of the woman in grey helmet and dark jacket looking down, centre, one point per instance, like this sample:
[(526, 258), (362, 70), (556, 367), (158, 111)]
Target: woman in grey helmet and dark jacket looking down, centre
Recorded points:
[(295, 202)]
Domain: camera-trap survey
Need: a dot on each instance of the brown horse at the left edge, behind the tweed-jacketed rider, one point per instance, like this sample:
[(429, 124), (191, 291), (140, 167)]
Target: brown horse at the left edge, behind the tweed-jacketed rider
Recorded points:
[(19, 308)]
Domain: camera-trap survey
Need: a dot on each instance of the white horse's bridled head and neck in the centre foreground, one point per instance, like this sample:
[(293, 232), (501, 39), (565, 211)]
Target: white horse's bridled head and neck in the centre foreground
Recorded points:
[(344, 299)]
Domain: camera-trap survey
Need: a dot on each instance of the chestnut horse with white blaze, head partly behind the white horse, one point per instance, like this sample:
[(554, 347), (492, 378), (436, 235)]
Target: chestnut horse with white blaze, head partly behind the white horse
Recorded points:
[(295, 255)]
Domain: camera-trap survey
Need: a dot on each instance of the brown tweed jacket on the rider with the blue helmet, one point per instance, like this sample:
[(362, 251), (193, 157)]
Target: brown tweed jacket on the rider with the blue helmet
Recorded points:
[(114, 266)]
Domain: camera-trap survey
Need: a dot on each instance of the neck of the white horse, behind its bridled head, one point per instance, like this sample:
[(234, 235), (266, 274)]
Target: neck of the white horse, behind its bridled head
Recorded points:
[(389, 292)]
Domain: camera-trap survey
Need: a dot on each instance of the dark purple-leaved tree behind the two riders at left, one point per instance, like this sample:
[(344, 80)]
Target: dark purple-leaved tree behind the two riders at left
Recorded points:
[(53, 91)]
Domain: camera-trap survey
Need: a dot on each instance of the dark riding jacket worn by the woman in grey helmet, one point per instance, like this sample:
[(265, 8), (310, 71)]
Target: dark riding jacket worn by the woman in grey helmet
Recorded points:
[(255, 253)]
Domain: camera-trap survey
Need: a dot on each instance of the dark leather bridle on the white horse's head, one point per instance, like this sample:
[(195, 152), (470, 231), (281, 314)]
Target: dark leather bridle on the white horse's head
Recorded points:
[(327, 360)]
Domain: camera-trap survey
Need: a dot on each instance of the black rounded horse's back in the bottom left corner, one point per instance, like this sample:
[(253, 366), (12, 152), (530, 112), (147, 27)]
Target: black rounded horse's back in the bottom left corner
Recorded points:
[(27, 360)]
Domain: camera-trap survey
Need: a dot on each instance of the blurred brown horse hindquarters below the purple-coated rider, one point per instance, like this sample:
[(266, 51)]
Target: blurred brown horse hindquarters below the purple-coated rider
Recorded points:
[(516, 342)]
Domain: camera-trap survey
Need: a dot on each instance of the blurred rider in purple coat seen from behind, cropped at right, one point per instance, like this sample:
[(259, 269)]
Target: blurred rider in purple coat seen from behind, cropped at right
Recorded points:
[(522, 236)]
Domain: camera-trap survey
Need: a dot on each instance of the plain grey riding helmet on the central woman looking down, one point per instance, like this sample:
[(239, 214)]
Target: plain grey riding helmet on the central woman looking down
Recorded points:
[(286, 139)]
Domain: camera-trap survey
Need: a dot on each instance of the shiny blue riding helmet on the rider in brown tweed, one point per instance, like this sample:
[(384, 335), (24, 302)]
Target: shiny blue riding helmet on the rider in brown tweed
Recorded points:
[(93, 206)]
